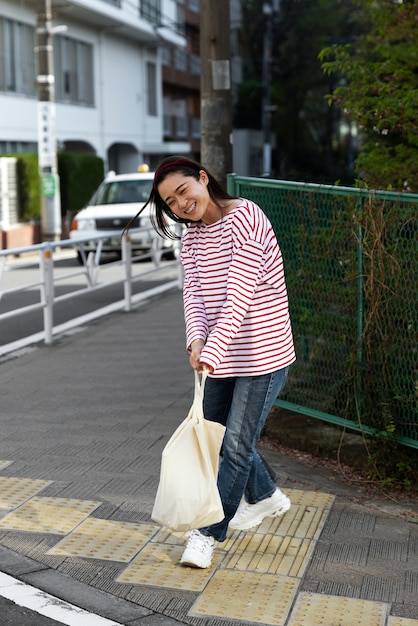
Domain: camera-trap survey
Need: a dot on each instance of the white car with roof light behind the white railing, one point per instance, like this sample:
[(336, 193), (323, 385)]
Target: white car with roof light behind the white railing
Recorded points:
[(117, 200)]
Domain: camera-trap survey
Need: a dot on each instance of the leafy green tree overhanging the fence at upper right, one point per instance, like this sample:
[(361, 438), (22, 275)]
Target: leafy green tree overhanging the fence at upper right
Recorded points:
[(378, 90)]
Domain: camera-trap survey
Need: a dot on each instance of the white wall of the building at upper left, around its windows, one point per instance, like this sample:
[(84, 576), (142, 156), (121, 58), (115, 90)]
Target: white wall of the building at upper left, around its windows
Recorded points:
[(116, 125)]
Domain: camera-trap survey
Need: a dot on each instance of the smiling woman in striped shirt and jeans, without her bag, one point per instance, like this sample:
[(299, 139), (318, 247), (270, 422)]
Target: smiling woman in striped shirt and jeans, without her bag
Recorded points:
[(237, 326)]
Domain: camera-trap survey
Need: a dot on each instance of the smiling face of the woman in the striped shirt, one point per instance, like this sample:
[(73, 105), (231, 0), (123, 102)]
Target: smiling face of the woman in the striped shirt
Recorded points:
[(188, 198)]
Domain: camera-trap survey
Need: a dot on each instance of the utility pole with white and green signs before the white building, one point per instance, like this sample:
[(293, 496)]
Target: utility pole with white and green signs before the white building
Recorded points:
[(47, 156)]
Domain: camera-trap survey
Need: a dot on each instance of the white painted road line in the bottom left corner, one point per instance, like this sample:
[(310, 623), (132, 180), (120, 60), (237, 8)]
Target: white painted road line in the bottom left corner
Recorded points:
[(50, 606)]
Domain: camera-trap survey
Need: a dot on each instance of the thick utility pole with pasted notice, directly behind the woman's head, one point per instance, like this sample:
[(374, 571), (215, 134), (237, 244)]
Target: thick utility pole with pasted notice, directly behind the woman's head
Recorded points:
[(215, 88)]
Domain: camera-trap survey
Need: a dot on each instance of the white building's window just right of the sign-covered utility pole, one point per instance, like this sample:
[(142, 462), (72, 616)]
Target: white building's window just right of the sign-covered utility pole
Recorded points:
[(73, 71)]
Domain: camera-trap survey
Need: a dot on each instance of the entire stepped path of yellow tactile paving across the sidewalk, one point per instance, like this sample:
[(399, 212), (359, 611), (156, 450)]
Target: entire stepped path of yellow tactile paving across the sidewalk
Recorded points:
[(260, 569)]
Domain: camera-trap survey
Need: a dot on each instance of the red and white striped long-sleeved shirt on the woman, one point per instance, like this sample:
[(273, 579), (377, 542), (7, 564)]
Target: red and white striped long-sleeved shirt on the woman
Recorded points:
[(235, 296)]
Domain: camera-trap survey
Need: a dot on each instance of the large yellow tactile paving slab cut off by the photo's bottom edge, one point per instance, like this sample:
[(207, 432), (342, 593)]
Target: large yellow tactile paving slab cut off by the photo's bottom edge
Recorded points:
[(315, 608)]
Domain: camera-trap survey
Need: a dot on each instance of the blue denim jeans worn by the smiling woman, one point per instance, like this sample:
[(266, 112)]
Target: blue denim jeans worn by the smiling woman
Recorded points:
[(242, 404)]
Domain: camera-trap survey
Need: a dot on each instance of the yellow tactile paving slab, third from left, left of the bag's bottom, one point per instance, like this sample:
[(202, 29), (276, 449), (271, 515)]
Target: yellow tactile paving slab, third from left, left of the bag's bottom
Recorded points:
[(105, 539)]
